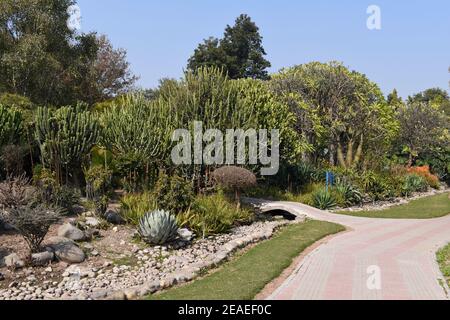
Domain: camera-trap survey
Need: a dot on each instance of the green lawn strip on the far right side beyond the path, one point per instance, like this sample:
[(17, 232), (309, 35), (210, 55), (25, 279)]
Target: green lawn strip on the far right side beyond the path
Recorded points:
[(425, 208)]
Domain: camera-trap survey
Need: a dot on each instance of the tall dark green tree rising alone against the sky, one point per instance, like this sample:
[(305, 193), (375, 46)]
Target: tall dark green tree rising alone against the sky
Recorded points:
[(240, 52)]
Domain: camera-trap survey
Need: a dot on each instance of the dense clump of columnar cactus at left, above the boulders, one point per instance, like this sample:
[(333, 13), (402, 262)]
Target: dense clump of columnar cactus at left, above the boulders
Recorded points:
[(65, 136)]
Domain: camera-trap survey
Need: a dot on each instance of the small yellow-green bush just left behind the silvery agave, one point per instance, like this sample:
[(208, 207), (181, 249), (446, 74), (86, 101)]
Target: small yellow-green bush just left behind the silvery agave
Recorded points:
[(134, 206)]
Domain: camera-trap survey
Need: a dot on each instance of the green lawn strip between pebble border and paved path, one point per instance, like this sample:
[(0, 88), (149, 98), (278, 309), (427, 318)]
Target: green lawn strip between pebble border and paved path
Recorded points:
[(245, 276)]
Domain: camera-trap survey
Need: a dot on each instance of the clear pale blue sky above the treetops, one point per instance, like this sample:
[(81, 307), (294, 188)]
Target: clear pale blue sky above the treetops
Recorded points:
[(411, 52)]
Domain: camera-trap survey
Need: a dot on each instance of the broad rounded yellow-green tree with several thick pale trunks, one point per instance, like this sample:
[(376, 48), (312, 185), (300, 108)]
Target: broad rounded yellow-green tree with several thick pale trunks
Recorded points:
[(339, 112)]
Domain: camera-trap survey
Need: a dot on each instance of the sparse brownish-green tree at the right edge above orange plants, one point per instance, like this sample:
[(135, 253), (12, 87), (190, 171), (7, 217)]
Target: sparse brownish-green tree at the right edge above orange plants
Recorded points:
[(423, 128)]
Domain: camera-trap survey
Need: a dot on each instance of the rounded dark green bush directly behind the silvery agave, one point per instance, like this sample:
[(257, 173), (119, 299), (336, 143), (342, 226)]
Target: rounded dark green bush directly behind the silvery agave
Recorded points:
[(173, 193)]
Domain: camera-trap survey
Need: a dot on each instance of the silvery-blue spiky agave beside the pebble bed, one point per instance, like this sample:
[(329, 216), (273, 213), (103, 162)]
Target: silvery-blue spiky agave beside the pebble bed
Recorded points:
[(158, 227)]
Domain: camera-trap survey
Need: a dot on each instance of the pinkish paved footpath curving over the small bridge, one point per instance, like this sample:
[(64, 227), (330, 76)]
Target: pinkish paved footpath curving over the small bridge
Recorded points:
[(377, 259)]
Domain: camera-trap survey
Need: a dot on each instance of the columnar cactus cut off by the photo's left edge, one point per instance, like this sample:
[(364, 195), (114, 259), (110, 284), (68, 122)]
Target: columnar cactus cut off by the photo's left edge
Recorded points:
[(10, 126)]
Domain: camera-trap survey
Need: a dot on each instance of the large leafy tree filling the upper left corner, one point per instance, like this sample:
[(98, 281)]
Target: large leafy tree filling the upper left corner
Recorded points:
[(42, 59)]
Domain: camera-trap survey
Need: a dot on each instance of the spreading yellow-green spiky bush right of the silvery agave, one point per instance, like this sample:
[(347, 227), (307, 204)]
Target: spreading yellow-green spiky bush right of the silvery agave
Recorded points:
[(214, 214)]
